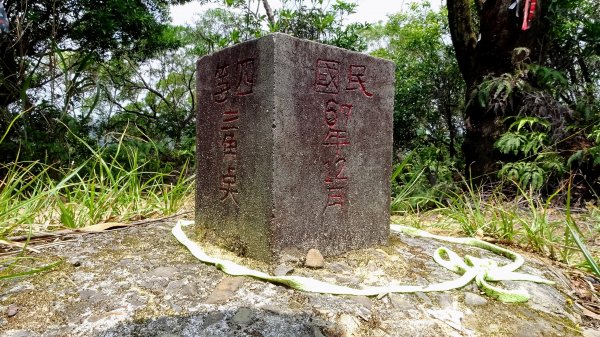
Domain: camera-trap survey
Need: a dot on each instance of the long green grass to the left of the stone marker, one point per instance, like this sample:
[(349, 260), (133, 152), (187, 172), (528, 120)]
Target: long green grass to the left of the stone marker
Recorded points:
[(101, 189)]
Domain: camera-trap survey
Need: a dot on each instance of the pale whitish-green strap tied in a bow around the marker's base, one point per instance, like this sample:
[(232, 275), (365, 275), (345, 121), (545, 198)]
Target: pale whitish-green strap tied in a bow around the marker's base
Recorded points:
[(470, 268)]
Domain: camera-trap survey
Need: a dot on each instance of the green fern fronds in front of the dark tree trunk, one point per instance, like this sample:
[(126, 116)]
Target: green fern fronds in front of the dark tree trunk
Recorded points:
[(545, 135)]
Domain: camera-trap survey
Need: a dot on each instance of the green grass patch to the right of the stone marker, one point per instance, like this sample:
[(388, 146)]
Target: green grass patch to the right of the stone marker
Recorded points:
[(526, 221)]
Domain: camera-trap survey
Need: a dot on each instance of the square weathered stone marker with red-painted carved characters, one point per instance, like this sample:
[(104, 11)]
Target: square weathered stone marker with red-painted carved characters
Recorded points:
[(294, 147)]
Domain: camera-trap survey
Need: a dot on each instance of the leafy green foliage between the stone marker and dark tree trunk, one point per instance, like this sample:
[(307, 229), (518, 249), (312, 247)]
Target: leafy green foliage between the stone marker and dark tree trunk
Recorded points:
[(427, 120)]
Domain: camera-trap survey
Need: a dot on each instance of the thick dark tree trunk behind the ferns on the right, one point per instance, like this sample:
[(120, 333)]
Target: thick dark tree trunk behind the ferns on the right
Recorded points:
[(482, 52)]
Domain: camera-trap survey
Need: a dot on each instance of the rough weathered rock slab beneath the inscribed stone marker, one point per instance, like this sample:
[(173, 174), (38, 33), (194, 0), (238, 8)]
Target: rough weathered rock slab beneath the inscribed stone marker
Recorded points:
[(141, 282)]
